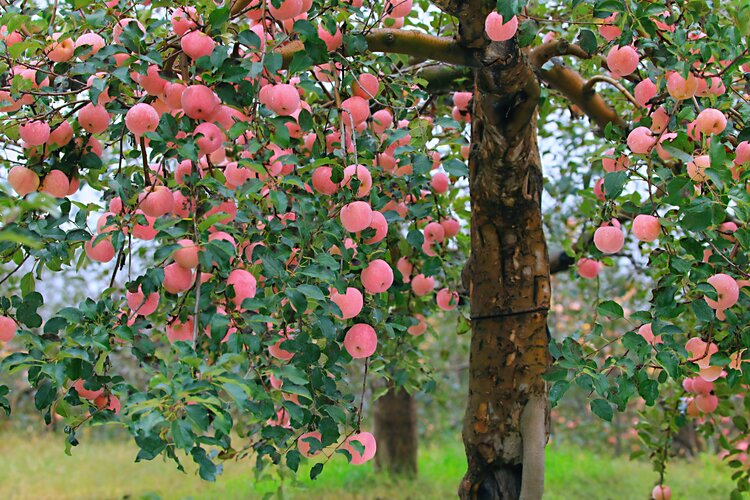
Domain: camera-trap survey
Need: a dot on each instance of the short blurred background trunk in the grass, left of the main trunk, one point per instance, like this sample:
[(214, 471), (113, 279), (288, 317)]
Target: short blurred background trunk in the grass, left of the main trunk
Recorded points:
[(396, 433)]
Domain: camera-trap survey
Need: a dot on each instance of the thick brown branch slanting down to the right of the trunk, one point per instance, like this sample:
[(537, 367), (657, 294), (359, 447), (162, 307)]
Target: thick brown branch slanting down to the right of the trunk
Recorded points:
[(571, 85)]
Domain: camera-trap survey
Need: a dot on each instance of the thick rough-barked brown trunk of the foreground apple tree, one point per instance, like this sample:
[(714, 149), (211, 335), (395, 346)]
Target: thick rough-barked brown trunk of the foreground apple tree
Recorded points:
[(507, 275)]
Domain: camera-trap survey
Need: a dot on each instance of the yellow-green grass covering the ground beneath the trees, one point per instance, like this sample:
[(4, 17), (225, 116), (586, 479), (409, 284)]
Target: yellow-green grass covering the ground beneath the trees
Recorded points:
[(35, 467)]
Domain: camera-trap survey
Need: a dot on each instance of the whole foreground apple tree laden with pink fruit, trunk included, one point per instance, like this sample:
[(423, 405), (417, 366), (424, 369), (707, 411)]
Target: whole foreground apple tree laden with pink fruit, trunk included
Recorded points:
[(284, 170)]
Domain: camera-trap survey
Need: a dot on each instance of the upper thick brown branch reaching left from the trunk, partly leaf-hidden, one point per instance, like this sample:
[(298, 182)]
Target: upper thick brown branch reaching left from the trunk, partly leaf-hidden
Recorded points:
[(407, 42)]
